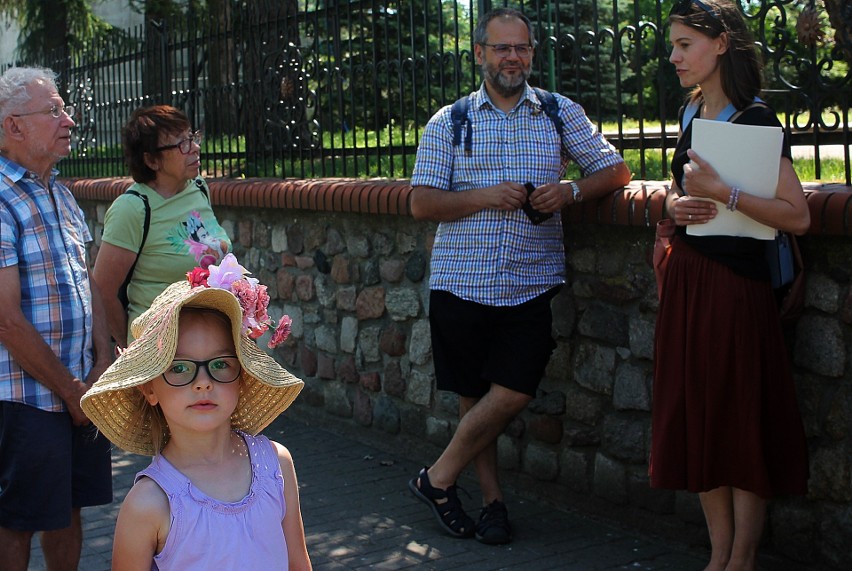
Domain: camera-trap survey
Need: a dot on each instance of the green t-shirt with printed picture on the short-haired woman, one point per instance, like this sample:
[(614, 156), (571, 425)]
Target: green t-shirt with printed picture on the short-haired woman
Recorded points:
[(183, 234)]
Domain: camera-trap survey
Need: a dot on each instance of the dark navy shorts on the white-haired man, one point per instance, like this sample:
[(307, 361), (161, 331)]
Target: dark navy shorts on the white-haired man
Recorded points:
[(49, 466)]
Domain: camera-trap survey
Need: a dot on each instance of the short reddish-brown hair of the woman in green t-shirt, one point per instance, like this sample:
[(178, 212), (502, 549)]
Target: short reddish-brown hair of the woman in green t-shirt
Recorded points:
[(141, 134)]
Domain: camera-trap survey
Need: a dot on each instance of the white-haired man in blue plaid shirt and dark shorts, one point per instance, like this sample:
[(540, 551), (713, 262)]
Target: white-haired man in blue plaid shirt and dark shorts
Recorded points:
[(53, 336)]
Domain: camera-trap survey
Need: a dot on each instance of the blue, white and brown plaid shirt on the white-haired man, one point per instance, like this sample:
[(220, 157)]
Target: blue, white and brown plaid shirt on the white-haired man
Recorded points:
[(44, 234)]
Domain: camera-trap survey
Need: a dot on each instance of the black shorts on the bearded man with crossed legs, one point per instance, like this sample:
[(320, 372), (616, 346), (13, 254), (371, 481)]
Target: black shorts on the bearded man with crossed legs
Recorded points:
[(475, 345)]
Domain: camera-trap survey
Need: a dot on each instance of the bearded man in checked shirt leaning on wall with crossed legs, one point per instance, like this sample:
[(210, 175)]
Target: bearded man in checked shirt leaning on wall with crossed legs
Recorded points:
[(489, 172)]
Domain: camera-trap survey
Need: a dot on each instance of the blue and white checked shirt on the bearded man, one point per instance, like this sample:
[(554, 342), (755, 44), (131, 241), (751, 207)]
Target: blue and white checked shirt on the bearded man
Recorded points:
[(495, 257)]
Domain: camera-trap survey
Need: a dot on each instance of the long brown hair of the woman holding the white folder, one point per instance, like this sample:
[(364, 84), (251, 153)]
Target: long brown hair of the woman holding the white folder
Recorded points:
[(740, 68)]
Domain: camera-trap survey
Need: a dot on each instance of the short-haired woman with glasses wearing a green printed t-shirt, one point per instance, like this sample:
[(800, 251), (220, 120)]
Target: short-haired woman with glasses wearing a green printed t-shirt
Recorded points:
[(163, 156)]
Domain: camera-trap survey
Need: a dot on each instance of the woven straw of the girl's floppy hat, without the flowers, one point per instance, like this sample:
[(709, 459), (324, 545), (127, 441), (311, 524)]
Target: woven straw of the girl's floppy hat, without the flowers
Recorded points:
[(266, 389)]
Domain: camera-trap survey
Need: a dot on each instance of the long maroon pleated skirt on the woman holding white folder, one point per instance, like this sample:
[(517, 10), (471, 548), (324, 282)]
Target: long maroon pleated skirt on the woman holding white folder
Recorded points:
[(724, 407)]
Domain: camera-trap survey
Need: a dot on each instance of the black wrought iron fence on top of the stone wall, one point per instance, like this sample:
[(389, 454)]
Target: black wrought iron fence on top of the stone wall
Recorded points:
[(331, 88)]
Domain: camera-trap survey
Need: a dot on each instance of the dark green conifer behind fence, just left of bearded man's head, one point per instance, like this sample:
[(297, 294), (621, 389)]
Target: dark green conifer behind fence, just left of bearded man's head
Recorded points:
[(394, 61)]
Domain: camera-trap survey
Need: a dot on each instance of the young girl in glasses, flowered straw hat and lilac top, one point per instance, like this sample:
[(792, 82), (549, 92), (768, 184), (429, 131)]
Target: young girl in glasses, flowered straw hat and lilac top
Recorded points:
[(193, 390)]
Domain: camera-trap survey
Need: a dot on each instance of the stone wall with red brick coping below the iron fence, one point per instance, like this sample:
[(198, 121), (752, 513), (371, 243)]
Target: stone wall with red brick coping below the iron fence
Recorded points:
[(353, 275)]
